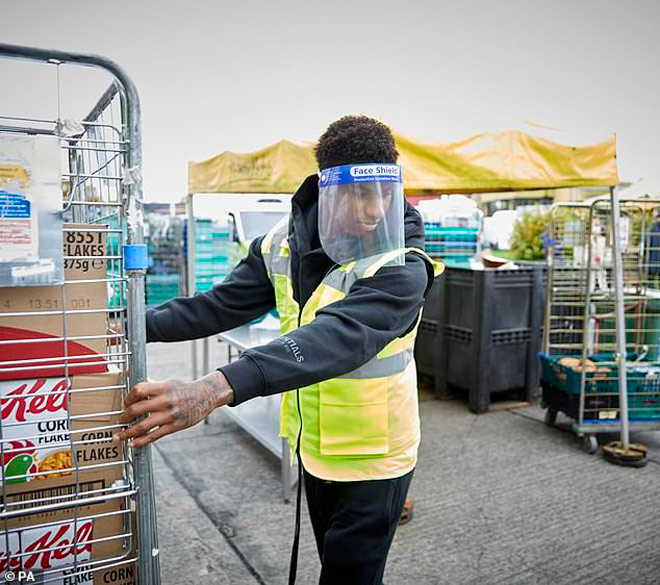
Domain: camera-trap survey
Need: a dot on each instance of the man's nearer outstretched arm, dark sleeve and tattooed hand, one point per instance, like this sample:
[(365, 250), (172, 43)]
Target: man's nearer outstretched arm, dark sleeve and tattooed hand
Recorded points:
[(344, 335)]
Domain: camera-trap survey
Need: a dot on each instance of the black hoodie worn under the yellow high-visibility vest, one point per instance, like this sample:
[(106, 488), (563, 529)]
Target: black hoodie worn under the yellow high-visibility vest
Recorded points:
[(343, 336)]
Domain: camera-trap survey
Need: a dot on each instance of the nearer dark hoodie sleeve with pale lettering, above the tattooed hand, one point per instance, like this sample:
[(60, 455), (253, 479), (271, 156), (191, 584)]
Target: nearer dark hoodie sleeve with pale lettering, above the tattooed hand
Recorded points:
[(343, 336)]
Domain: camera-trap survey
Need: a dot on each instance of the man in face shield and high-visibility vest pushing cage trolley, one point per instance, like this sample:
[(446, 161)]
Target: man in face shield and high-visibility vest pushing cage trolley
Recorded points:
[(349, 291)]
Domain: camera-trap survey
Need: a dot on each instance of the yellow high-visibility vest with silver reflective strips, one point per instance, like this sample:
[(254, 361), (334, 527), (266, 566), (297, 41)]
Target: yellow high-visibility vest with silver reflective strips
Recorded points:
[(363, 425)]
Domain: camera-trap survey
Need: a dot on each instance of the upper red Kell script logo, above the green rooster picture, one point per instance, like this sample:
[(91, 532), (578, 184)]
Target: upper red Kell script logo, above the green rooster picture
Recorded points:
[(26, 401)]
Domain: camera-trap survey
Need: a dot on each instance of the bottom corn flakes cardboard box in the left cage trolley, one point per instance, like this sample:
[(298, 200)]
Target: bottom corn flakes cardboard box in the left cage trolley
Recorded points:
[(51, 544)]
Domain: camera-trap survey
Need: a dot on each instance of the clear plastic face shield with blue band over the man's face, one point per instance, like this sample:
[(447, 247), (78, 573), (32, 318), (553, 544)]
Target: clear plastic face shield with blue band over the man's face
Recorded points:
[(361, 211)]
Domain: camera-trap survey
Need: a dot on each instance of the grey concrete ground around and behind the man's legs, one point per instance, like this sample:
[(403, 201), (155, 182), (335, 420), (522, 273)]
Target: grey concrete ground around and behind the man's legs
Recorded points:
[(500, 499)]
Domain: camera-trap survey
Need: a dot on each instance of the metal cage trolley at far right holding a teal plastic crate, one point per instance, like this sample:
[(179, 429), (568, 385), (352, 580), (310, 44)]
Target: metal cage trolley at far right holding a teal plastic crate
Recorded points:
[(585, 372)]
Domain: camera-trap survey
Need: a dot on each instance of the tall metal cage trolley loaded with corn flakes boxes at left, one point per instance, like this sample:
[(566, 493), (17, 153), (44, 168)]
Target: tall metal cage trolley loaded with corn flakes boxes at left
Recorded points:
[(75, 506)]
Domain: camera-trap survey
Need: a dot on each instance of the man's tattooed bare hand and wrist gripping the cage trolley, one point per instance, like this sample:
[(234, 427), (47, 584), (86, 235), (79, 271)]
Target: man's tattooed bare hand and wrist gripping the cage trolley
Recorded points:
[(172, 405)]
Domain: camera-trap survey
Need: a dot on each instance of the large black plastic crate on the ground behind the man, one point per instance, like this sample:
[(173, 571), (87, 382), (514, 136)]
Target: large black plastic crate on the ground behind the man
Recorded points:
[(482, 332)]
